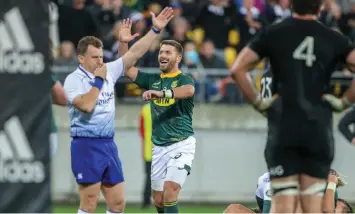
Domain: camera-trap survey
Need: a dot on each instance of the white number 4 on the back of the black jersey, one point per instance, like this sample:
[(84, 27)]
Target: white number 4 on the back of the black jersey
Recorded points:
[(305, 51)]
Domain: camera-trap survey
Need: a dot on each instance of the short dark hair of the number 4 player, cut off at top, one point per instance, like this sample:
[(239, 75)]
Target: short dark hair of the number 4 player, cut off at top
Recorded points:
[(304, 7)]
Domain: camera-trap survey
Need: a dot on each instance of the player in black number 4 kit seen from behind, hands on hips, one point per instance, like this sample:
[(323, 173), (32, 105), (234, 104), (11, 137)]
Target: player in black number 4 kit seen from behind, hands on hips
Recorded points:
[(303, 54)]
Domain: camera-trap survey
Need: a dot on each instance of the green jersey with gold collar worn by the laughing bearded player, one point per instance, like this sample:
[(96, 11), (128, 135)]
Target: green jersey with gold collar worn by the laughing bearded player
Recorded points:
[(171, 118)]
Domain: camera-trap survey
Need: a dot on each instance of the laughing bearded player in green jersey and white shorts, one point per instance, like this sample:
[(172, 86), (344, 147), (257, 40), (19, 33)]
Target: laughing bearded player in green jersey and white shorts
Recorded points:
[(171, 94)]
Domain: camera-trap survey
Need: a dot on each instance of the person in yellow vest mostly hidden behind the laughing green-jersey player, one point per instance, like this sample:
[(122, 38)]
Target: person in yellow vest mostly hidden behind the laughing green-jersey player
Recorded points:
[(145, 129)]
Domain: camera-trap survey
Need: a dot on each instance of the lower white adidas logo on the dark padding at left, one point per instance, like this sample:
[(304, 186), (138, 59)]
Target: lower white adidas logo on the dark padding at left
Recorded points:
[(17, 164)]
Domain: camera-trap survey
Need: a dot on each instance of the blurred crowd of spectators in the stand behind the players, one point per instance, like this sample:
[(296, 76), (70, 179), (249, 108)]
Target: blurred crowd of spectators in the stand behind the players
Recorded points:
[(212, 33)]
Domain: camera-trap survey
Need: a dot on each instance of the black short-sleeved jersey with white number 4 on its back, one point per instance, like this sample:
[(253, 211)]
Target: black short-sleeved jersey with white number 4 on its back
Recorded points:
[(303, 55)]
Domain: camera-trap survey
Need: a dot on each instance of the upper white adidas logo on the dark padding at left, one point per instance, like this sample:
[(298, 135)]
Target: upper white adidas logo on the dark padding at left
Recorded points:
[(16, 46)]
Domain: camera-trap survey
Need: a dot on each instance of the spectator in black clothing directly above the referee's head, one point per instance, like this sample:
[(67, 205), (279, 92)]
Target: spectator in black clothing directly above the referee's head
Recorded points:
[(75, 22)]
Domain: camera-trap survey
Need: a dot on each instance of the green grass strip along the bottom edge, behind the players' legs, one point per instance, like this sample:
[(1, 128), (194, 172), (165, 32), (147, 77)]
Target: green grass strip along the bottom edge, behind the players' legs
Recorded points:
[(136, 209)]
